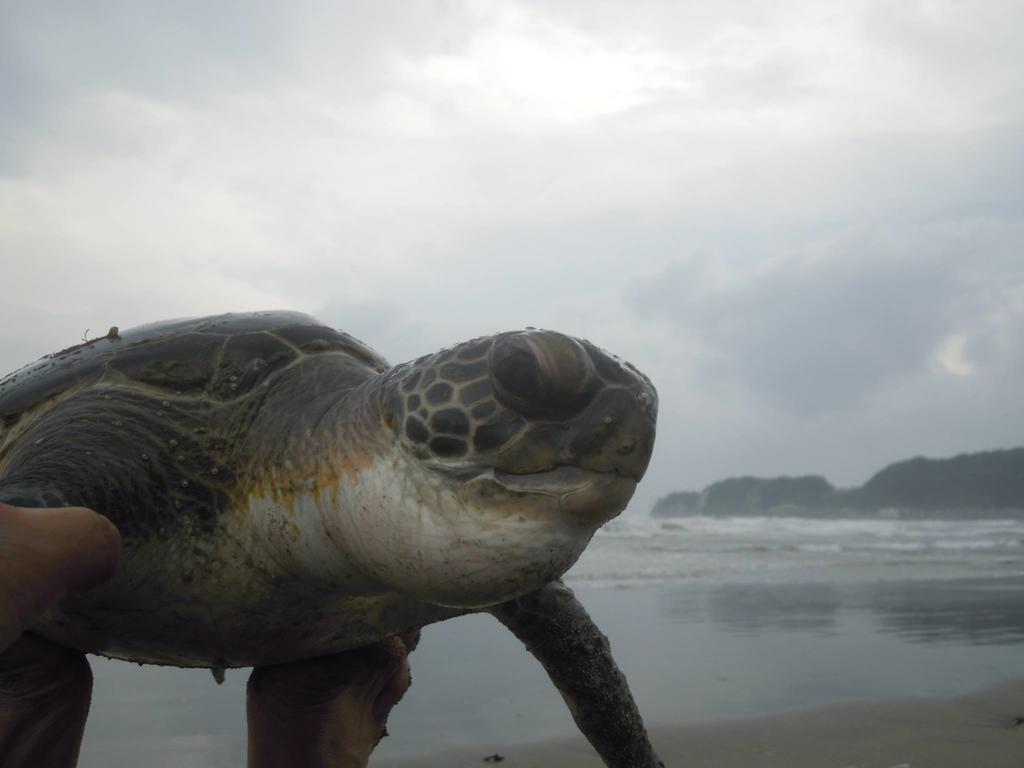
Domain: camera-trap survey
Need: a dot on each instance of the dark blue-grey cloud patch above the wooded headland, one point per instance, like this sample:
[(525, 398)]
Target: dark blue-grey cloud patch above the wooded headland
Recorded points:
[(829, 328)]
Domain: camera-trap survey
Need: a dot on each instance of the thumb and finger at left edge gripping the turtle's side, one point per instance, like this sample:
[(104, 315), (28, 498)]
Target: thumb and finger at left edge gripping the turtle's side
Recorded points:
[(46, 689)]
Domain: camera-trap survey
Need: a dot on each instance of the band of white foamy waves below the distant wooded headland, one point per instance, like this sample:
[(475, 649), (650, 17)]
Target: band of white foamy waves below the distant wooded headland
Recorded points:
[(642, 550)]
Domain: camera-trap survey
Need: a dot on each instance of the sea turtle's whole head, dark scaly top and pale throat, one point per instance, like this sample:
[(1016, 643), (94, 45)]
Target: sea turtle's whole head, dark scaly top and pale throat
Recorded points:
[(511, 451)]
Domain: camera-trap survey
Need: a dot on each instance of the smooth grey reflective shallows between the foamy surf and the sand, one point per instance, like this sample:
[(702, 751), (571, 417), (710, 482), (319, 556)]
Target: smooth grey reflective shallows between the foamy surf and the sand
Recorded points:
[(693, 653)]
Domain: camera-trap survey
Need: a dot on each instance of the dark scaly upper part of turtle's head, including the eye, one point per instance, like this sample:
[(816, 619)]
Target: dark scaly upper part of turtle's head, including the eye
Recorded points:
[(524, 403)]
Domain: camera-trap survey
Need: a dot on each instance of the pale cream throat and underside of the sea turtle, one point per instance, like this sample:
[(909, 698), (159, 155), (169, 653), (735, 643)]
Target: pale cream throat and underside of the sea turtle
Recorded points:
[(322, 574)]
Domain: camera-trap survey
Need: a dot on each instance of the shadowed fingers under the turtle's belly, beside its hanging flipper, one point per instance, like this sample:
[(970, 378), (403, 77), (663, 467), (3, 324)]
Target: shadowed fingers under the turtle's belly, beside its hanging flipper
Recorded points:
[(328, 712)]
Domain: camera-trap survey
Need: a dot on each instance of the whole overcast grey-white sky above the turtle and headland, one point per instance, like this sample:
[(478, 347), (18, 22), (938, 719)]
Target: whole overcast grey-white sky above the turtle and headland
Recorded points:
[(804, 221)]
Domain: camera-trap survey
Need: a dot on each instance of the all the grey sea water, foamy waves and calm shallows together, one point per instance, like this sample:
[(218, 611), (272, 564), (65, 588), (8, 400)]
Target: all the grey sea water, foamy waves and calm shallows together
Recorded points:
[(709, 619)]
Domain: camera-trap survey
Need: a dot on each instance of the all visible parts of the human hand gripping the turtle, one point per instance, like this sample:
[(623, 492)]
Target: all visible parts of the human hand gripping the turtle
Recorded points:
[(326, 712)]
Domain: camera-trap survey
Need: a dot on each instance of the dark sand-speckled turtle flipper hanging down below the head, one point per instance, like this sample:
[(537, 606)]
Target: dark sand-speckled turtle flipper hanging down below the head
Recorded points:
[(558, 630)]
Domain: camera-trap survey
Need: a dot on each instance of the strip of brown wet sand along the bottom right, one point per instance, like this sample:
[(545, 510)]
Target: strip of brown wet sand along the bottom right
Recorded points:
[(984, 730)]
